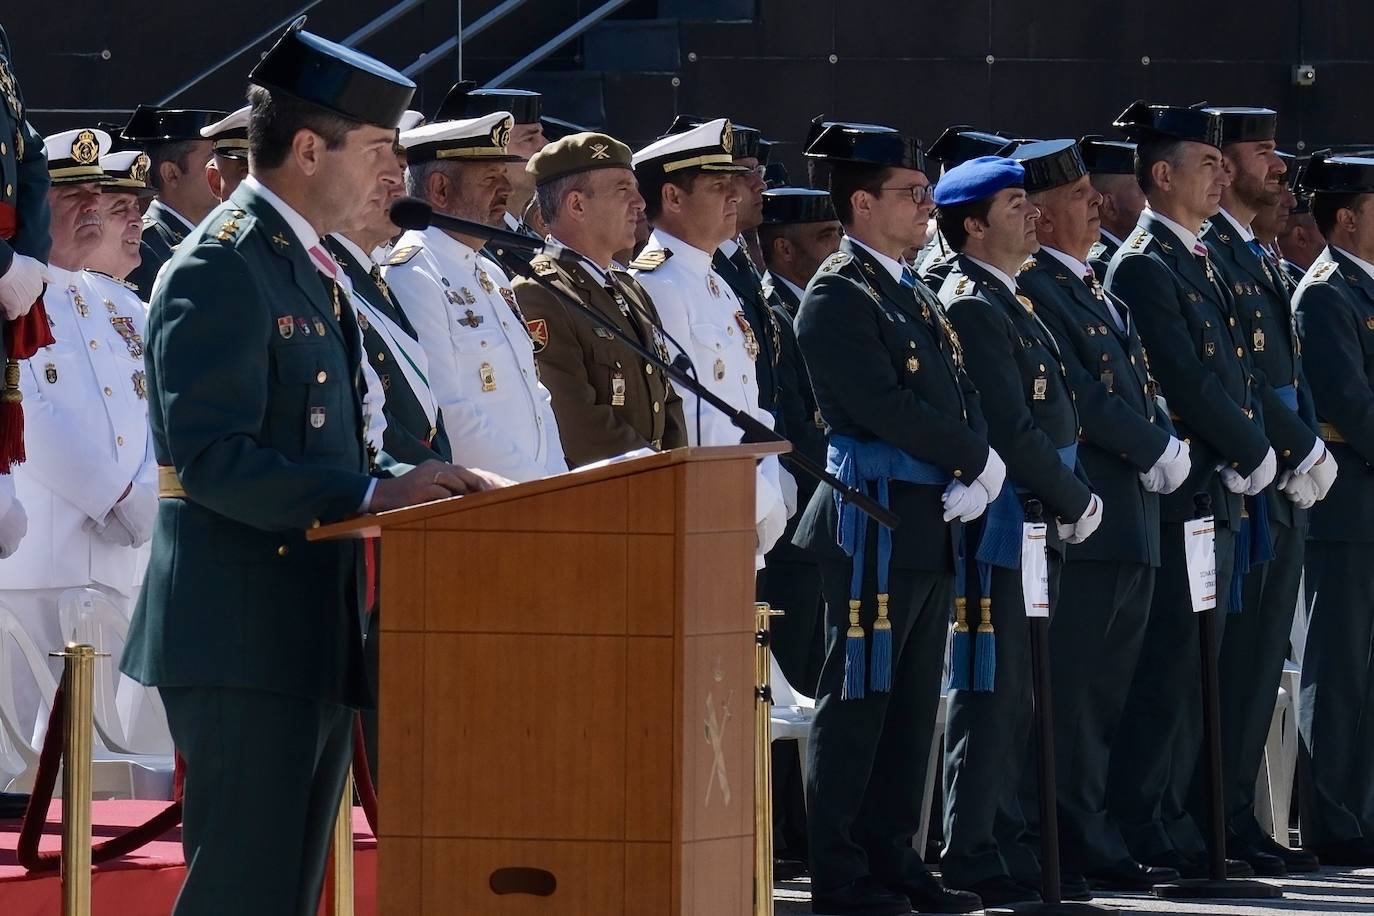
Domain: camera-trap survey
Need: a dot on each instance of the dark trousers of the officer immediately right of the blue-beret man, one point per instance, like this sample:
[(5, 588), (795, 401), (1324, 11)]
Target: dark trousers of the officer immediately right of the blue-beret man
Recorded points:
[(1096, 641)]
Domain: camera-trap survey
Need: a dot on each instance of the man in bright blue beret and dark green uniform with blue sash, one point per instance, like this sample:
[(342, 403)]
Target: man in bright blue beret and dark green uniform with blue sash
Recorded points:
[(1016, 363)]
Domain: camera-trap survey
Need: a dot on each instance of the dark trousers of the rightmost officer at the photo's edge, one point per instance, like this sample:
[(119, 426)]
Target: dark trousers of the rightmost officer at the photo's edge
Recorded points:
[(1339, 694)]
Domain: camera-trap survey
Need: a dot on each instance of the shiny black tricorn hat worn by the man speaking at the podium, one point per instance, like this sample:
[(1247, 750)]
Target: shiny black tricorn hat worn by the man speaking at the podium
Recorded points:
[(328, 75)]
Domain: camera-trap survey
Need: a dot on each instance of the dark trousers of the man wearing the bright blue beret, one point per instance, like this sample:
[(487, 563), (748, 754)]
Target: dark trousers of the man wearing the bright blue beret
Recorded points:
[(987, 741)]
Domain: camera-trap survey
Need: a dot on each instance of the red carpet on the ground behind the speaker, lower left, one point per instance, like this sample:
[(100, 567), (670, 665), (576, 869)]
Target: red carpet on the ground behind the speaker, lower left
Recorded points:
[(141, 885)]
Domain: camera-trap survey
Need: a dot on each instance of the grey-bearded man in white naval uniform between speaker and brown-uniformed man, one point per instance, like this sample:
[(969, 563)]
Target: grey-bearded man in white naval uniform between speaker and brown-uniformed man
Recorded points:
[(499, 415)]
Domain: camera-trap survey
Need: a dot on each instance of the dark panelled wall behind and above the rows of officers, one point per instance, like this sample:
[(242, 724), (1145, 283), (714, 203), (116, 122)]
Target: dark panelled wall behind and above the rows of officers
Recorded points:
[(1031, 68)]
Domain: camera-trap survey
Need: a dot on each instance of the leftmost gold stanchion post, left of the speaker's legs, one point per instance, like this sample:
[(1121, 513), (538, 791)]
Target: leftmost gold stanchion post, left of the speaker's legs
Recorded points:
[(79, 693)]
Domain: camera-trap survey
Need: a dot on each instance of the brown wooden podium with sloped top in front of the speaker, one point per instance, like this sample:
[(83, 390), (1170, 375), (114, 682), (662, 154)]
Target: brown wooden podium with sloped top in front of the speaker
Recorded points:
[(568, 694)]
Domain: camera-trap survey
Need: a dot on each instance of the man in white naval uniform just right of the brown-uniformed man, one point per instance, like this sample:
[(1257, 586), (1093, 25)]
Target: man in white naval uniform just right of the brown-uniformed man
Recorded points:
[(690, 197)]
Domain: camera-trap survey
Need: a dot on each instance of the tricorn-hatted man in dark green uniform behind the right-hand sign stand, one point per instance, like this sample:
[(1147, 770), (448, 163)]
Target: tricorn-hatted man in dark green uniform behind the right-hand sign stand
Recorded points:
[(1188, 323)]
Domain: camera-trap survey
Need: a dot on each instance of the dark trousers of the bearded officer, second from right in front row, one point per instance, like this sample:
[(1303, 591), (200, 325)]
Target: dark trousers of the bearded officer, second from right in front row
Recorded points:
[(1250, 672)]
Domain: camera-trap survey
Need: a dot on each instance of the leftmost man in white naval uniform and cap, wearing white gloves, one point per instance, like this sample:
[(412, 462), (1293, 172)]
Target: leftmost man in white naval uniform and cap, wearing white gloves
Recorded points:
[(90, 483)]
